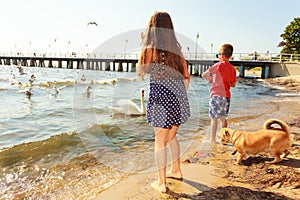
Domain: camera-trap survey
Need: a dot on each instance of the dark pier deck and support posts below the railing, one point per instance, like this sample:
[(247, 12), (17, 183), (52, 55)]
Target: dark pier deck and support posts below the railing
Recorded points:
[(196, 67)]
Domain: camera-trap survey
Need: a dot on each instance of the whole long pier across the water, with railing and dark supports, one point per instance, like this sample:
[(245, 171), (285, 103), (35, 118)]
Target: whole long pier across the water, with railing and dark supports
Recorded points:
[(271, 66)]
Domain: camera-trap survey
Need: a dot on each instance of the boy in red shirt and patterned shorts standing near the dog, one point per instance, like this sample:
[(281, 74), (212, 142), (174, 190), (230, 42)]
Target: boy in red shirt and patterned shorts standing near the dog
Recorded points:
[(222, 75)]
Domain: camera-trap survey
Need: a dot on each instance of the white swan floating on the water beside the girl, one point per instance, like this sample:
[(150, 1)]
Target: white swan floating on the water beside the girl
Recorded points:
[(128, 107)]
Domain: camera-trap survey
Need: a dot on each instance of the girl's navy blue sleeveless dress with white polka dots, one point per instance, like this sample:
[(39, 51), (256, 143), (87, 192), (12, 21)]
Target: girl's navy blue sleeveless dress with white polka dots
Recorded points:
[(168, 103)]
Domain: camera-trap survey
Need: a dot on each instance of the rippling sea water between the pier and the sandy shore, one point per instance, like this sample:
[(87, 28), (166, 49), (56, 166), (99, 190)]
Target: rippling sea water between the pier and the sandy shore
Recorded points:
[(60, 140)]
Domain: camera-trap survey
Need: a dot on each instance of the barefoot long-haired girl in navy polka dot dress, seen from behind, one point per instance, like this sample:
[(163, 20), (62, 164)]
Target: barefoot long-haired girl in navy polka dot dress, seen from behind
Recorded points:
[(168, 105)]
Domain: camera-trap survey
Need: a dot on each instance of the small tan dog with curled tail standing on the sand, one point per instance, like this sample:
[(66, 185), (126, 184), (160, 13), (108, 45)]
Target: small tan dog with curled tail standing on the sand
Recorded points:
[(276, 139)]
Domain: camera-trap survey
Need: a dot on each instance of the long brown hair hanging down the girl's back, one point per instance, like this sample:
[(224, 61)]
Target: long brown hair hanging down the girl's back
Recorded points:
[(160, 40)]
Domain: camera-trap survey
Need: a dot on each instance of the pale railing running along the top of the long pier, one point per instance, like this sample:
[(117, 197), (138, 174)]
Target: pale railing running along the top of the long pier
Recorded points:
[(188, 55)]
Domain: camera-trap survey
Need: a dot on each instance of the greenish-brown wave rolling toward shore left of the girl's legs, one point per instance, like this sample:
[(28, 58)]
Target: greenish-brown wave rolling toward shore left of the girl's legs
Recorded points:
[(65, 146)]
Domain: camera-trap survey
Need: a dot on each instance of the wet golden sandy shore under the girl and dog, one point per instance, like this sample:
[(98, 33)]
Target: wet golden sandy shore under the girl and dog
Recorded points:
[(216, 176)]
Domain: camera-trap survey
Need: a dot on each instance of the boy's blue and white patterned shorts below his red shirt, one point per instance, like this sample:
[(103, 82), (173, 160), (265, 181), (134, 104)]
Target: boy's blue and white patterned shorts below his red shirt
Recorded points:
[(218, 107)]
